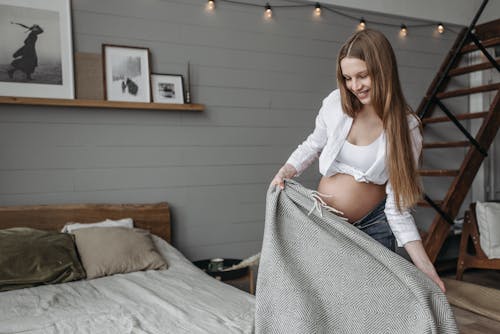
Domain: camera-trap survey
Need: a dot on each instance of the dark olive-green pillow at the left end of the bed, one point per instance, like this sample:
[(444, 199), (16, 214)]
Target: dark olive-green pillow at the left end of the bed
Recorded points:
[(30, 257)]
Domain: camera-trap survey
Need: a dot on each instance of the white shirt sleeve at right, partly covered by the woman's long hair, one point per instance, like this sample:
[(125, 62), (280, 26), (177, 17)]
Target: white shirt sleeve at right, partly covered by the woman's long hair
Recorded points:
[(401, 222)]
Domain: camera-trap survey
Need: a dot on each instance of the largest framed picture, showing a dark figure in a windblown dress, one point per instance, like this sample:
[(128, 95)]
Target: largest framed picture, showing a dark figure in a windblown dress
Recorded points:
[(36, 49)]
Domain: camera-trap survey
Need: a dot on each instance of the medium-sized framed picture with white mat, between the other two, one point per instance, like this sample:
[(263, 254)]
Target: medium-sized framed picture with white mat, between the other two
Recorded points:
[(126, 73)]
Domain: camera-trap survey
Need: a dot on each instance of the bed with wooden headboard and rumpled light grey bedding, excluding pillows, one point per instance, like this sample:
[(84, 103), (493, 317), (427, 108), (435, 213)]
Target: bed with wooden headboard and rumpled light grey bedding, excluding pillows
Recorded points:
[(180, 299)]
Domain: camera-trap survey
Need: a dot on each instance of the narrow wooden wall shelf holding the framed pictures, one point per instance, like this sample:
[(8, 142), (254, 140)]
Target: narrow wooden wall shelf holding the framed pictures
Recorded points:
[(98, 104)]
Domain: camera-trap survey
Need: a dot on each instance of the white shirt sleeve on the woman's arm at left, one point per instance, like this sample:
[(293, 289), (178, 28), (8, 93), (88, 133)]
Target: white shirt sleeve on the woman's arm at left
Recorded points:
[(311, 148)]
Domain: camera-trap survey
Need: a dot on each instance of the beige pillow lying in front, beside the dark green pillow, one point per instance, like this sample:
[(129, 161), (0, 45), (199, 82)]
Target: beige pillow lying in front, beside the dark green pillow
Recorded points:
[(106, 251)]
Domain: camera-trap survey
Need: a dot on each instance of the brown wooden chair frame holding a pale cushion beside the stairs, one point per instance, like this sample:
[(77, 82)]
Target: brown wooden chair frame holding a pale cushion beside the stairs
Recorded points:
[(470, 233)]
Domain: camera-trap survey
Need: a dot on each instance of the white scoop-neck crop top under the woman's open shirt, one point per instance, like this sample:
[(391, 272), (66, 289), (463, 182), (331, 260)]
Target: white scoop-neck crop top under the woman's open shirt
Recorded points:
[(359, 157)]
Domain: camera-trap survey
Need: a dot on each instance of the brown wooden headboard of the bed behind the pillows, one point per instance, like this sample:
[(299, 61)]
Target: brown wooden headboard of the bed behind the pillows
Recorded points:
[(152, 217)]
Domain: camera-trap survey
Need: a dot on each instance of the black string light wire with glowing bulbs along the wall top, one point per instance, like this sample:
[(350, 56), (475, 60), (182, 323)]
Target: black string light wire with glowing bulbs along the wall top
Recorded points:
[(318, 10)]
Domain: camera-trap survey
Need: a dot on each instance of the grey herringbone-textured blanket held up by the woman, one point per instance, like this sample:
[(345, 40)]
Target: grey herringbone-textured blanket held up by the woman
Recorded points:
[(318, 274)]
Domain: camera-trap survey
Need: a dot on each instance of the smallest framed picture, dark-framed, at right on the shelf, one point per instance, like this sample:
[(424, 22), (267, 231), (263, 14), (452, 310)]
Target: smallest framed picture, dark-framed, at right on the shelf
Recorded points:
[(167, 88)]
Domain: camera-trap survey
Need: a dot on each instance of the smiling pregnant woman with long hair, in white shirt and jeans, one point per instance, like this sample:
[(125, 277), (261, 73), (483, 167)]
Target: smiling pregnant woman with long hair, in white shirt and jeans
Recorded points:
[(368, 141)]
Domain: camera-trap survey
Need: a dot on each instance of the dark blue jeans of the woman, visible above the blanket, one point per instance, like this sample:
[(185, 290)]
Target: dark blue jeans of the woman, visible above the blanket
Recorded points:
[(376, 226)]
